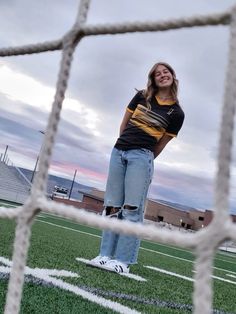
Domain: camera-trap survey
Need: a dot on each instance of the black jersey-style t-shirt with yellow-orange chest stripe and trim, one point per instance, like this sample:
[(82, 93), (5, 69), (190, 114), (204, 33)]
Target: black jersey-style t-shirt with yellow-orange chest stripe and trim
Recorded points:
[(149, 123)]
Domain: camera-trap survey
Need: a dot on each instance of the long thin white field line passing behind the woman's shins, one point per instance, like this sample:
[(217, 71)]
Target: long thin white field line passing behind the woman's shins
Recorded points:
[(142, 248)]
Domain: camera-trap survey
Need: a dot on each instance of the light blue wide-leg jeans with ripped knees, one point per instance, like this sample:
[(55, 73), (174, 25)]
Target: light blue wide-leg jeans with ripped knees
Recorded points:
[(130, 174)]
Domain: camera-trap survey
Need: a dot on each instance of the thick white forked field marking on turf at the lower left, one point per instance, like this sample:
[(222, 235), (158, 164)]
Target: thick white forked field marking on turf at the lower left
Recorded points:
[(46, 276)]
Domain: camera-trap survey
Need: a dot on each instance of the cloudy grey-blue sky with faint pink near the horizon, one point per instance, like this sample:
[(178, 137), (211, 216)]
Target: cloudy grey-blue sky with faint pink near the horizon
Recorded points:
[(105, 72)]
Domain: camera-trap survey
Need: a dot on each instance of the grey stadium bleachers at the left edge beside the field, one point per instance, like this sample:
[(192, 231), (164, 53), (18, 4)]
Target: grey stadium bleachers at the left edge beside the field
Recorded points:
[(13, 186)]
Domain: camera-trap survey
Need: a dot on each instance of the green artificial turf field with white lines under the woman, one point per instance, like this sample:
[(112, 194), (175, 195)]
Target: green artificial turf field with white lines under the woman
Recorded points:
[(55, 245)]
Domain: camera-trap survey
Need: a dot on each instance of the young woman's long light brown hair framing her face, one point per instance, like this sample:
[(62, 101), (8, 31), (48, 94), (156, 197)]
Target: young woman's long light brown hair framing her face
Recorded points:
[(152, 88)]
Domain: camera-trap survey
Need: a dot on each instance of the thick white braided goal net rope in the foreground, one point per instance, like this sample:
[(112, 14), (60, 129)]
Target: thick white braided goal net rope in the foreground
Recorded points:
[(204, 242)]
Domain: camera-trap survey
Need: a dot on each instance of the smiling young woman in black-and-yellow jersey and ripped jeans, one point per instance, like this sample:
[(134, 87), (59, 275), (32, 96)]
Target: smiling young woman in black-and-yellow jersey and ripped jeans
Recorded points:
[(152, 119)]
